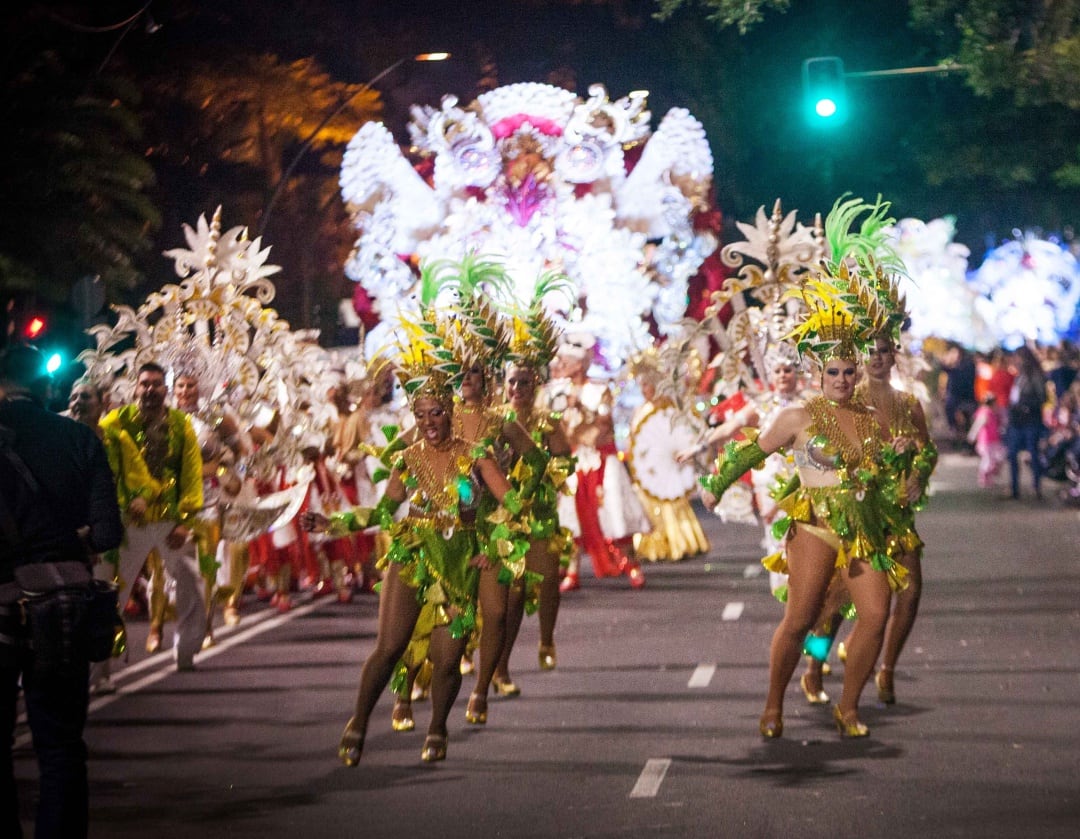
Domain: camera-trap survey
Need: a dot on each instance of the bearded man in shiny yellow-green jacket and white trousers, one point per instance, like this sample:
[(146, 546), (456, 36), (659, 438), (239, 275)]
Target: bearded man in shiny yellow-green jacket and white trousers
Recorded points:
[(160, 491)]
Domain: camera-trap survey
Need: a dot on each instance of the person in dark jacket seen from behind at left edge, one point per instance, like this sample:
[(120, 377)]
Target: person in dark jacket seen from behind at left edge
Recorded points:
[(72, 513)]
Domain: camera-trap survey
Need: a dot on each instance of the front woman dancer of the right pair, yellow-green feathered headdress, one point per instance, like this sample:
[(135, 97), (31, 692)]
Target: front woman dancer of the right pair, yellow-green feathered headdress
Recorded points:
[(839, 518)]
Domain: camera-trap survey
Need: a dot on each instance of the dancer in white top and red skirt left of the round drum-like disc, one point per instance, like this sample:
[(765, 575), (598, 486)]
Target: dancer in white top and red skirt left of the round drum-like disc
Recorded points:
[(609, 513)]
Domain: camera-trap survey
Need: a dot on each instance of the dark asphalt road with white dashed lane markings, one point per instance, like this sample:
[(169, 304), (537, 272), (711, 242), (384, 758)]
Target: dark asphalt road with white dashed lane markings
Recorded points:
[(649, 727)]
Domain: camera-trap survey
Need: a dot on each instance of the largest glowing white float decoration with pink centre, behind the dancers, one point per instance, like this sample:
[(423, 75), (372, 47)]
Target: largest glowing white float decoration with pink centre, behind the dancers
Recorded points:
[(541, 180)]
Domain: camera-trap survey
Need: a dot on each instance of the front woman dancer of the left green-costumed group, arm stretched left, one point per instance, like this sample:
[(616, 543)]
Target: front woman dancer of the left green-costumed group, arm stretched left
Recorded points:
[(436, 554)]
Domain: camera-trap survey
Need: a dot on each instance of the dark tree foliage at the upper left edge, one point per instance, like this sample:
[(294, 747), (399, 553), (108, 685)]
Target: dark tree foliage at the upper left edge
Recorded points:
[(74, 180)]
